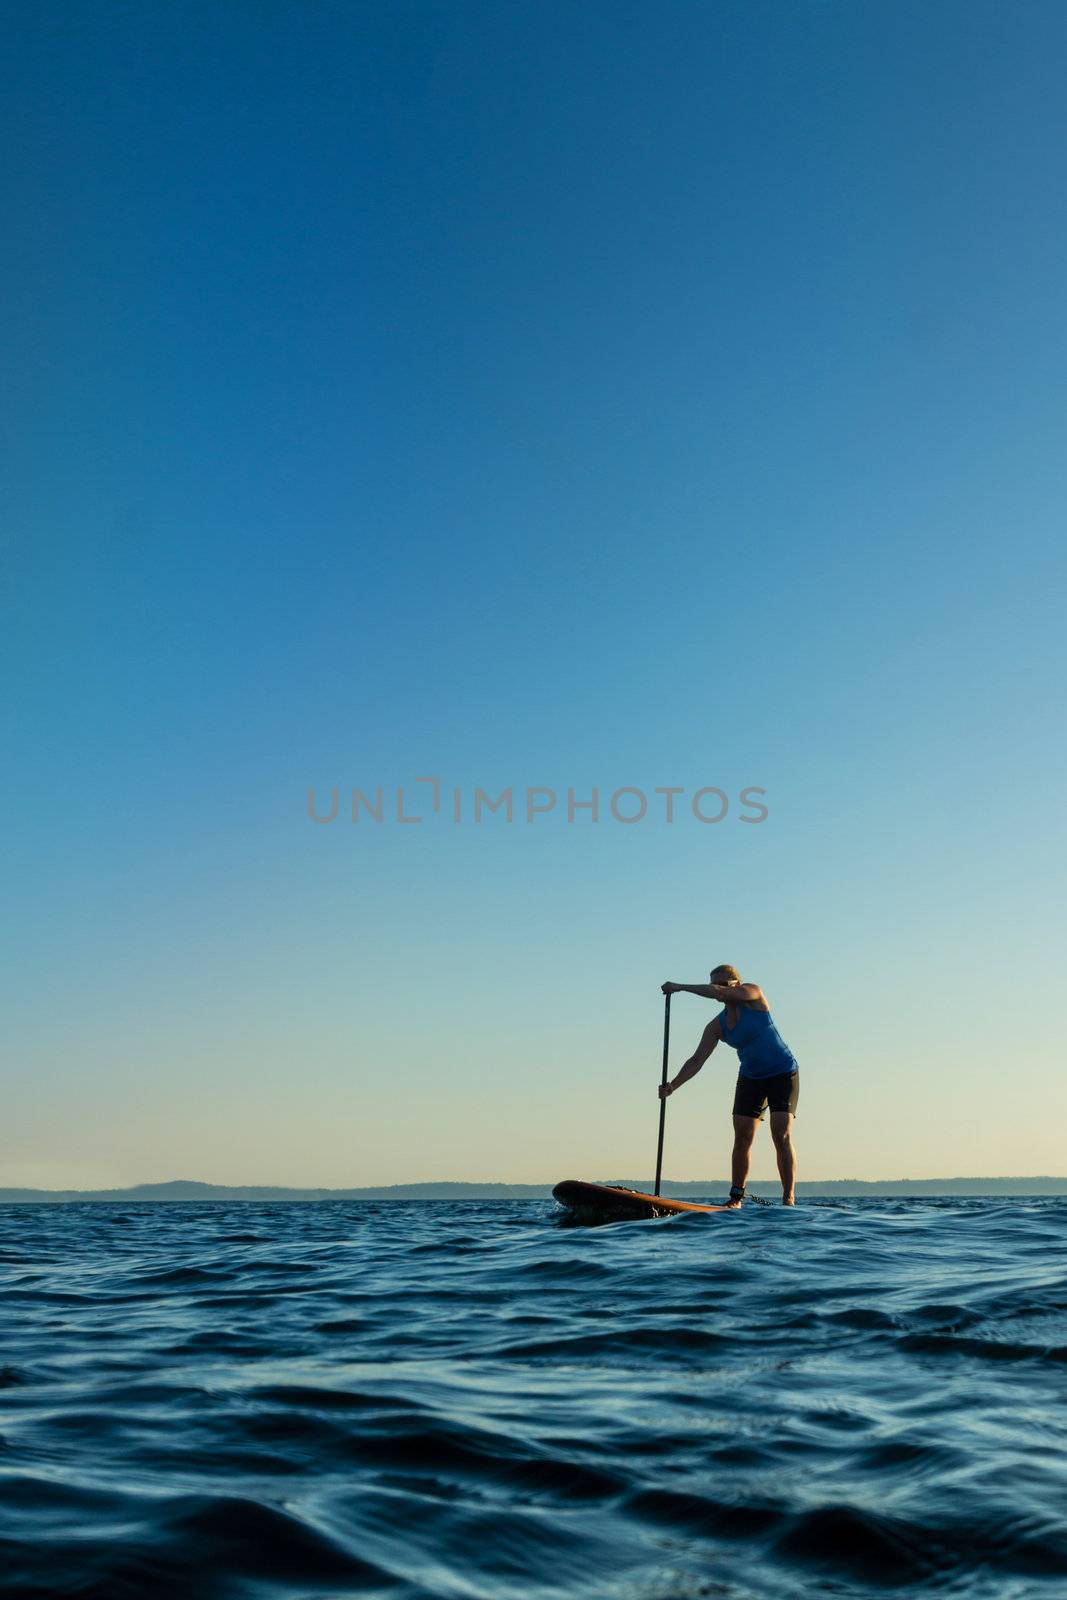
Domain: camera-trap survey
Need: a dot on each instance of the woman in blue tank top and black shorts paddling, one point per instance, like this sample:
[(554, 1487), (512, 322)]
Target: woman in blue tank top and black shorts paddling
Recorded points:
[(769, 1074)]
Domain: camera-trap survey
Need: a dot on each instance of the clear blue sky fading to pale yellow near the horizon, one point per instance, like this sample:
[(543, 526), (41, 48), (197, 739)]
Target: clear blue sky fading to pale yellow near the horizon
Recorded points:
[(572, 396)]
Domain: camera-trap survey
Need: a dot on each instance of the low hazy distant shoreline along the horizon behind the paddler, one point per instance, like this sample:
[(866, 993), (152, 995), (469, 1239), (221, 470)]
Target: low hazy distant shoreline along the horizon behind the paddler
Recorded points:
[(190, 1193)]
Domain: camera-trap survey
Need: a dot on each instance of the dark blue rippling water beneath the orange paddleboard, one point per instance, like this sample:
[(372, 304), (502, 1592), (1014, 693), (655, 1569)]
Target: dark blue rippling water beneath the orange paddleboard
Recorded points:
[(473, 1401)]
